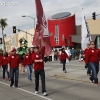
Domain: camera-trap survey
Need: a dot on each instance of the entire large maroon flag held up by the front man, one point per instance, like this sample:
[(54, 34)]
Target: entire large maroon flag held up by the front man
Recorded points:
[(40, 27)]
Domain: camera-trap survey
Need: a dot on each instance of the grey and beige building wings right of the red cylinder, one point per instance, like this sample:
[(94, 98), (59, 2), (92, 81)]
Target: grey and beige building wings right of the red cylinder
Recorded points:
[(94, 27)]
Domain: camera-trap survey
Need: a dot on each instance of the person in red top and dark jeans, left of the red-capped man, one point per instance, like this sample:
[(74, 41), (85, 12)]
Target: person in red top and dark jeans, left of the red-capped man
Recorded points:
[(4, 63)]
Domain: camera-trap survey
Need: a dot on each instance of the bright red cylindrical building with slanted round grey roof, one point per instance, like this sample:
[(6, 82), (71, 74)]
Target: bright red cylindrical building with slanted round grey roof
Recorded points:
[(61, 26)]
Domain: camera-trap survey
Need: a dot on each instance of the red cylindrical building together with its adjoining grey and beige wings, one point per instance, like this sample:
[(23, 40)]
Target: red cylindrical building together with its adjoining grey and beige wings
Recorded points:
[(64, 32)]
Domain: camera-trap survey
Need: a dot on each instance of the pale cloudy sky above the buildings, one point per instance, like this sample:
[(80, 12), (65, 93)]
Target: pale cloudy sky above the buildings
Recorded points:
[(27, 7)]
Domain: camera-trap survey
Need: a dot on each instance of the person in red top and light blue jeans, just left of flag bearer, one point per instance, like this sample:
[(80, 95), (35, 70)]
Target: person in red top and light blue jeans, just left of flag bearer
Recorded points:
[(28, 64)]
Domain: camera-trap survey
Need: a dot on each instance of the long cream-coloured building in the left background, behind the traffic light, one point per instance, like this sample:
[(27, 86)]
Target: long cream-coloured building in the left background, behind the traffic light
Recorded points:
[(13, 39)]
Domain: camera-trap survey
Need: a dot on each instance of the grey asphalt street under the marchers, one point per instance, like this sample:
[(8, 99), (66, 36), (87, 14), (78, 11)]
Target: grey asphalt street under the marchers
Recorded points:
[(73, 85)]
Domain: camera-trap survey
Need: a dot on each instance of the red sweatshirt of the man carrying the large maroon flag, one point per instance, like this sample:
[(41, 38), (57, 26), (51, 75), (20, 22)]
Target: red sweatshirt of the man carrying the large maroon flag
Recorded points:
[(35, 56)]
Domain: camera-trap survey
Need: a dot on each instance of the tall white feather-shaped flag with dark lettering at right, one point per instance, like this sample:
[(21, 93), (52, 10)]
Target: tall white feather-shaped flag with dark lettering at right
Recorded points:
[(86, 37)]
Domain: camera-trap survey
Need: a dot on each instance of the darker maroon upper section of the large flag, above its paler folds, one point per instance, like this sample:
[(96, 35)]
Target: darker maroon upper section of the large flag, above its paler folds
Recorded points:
[(40, 14)]
